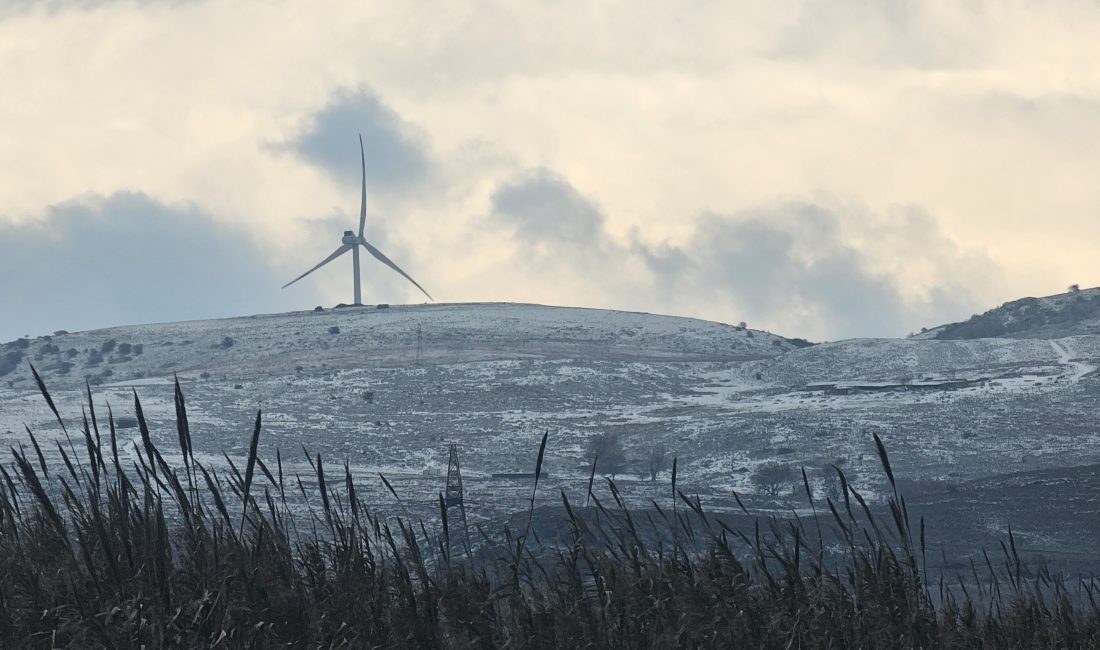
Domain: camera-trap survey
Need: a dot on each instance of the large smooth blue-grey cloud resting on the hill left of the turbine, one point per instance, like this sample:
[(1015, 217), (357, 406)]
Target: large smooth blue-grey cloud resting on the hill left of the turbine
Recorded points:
[(127, 259)]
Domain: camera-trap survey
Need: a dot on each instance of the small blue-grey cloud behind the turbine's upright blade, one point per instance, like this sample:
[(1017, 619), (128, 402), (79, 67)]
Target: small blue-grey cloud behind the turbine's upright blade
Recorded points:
[(397, 152)]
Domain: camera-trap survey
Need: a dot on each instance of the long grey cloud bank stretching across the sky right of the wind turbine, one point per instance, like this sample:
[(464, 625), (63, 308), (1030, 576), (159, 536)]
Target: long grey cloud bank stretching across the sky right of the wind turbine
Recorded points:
[(821, 270)]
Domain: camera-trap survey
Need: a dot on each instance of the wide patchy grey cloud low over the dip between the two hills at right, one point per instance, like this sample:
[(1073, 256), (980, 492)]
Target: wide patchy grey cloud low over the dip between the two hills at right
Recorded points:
[(824, 271)]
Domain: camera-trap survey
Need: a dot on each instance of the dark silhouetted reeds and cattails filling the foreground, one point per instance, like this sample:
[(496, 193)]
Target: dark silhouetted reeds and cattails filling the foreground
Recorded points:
[(102, 554)]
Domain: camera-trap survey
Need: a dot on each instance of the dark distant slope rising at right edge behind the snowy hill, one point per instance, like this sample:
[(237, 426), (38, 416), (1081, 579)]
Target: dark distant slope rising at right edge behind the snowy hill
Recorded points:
[(1054, 317)]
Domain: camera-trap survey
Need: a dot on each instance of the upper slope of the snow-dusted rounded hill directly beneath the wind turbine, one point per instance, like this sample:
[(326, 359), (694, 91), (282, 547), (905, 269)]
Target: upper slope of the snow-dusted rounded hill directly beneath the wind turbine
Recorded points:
[(349, 338)]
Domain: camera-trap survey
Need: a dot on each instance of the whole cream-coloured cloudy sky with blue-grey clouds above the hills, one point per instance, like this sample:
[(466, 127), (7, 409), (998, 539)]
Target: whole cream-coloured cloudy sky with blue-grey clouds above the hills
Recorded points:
[(823, 170)]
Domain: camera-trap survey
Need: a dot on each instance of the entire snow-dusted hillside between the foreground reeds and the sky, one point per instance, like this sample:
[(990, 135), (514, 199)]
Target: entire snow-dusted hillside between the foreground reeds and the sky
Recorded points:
[(390, 390)]
